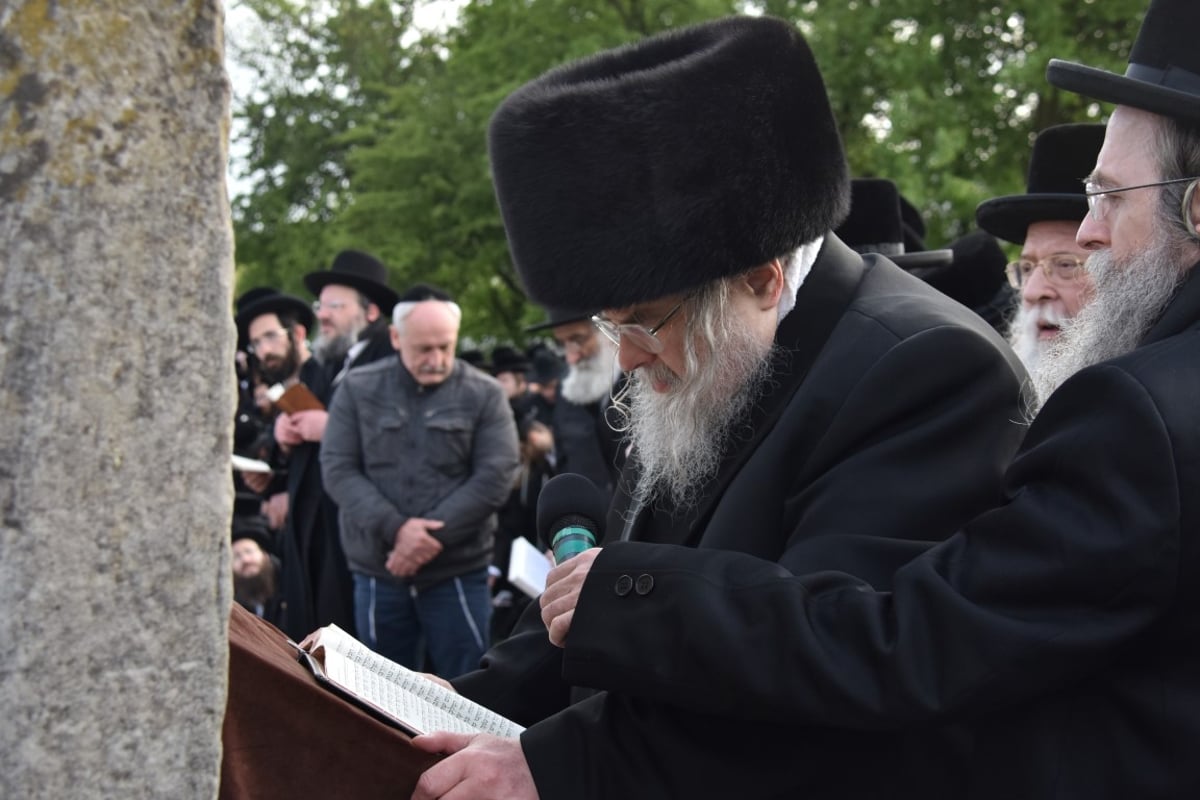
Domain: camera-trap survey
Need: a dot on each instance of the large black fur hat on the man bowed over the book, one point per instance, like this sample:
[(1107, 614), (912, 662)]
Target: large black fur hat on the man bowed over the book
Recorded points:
[(662, 166)]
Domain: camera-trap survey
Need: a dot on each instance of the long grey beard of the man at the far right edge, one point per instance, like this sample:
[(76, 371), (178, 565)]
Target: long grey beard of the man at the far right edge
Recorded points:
[(1129, 299)]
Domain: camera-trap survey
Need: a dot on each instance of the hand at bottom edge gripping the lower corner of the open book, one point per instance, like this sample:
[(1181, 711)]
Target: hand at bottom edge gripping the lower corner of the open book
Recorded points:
[(478, 768)]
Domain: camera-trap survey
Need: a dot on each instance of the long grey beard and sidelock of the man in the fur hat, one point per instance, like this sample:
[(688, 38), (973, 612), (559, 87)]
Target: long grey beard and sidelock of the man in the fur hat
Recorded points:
[(680, 436)]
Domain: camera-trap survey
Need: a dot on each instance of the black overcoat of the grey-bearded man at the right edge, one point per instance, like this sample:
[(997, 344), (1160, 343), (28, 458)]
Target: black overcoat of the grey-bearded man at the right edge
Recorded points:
[(1061, 627)]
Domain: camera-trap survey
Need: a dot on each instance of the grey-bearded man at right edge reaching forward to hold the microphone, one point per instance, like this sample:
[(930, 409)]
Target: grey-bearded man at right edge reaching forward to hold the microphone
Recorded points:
[(1060, 627)]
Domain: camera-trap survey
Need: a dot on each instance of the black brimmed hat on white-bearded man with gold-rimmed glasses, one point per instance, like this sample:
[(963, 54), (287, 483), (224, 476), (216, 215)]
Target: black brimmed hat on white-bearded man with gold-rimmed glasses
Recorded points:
[(1063, 158)]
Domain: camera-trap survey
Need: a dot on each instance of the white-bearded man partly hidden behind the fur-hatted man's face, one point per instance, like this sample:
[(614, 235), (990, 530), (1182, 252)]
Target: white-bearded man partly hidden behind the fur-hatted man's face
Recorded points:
[(585, 441)]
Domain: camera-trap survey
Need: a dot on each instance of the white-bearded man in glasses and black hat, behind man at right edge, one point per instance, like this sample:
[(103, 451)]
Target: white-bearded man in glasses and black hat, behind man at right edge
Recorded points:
[(1049, 275)]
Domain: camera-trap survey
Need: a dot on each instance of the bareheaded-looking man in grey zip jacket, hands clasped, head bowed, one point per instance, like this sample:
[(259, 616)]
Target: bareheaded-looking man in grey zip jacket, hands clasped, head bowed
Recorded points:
[(419, 454)]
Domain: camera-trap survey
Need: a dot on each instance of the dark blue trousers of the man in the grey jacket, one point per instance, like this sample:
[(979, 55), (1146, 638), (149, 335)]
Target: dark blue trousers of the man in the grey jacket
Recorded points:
[(448, 621)]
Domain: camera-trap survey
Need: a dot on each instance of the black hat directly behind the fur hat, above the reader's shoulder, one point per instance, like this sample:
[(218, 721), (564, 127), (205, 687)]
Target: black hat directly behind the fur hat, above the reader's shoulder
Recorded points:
[(877, 225)]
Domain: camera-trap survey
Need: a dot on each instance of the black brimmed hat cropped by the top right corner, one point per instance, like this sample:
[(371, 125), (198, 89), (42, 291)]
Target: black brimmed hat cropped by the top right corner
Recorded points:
[(1163, 76)]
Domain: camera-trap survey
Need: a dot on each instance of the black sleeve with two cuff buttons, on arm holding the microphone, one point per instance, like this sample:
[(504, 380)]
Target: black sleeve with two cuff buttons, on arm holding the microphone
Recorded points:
[(1081, 560)]
